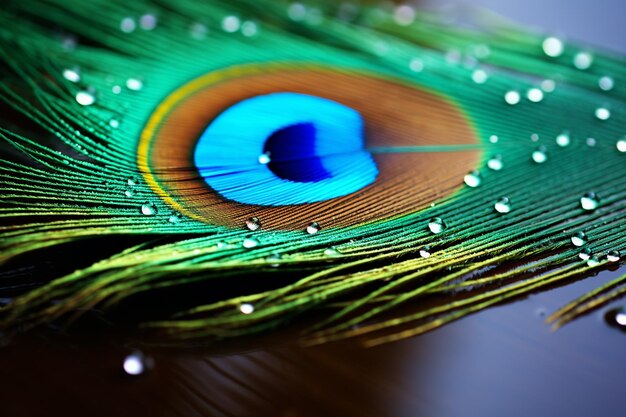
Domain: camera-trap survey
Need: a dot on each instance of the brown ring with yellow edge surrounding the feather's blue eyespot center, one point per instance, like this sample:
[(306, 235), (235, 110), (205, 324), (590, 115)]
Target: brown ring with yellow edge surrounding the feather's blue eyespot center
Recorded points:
[(395, 113)]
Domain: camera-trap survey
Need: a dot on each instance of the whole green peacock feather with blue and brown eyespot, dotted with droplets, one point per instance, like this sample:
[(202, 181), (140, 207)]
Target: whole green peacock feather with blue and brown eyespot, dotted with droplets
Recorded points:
[(362, 168)]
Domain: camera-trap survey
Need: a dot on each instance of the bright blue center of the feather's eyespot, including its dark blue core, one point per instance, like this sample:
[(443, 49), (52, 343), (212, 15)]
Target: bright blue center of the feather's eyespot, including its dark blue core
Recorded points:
[(314, 146)]
